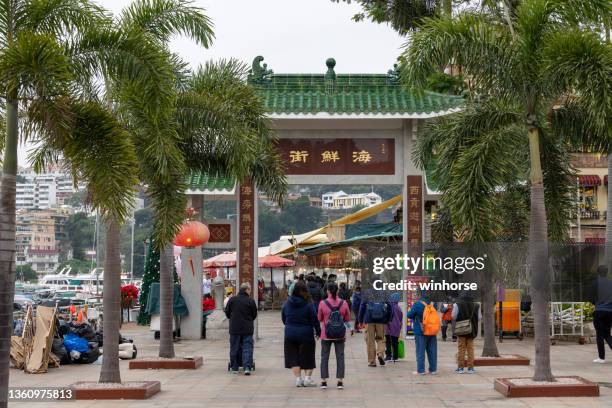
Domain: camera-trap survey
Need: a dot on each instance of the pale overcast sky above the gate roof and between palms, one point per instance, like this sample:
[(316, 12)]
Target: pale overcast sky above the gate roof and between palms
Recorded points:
[(294, 36)]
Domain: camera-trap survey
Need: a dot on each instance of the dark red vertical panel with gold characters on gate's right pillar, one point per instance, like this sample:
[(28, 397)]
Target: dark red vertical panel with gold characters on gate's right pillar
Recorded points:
[(414, 212)]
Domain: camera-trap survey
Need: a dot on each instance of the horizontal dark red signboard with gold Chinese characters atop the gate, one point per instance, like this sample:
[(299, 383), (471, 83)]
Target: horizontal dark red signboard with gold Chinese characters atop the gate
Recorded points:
[(360, 156)]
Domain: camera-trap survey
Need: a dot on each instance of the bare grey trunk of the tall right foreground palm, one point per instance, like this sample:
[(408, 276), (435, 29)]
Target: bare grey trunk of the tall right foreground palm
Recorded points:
[(538, 263)]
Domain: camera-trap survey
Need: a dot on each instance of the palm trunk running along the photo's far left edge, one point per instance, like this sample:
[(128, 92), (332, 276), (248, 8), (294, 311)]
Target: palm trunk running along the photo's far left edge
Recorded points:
[(7, 244)]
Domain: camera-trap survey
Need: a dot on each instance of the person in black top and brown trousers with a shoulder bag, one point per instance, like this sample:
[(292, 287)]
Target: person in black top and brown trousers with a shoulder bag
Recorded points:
[(465, 318)]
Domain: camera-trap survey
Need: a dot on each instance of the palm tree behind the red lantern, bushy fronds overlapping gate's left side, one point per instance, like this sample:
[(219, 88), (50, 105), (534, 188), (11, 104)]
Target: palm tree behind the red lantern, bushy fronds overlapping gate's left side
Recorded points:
[(223, 127)]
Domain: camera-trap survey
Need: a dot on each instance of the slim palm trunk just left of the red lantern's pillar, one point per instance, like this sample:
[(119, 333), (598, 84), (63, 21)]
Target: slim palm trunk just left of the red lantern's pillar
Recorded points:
[(166, 295)]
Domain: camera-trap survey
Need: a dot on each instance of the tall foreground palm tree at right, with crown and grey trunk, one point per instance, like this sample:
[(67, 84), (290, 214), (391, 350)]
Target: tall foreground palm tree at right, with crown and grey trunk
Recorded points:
[(542, 52)]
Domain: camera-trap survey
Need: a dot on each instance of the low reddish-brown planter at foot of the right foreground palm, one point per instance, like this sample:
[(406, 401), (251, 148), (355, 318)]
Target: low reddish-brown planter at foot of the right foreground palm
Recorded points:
[(573, 386)]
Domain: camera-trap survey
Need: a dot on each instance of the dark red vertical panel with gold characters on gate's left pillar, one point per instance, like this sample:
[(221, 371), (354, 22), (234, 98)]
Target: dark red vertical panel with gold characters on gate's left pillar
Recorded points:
[(246, 233)]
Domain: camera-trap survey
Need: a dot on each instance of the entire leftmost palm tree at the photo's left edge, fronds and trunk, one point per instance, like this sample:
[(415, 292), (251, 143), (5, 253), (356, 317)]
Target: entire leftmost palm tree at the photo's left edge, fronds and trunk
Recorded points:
[(41, 93)]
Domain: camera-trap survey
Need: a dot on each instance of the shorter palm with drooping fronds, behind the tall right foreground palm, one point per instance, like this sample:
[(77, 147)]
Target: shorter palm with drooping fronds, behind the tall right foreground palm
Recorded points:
[(477, 152)]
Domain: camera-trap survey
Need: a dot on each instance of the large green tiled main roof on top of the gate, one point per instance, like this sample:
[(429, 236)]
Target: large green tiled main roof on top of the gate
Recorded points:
[(345, 93)]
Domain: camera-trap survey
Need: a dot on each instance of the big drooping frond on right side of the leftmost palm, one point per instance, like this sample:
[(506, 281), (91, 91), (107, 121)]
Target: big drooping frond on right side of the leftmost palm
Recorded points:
[(95, 146)]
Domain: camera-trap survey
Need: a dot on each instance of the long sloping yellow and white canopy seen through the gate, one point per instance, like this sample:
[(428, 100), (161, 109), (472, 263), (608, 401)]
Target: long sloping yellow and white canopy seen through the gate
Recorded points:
[(287, 244)]
